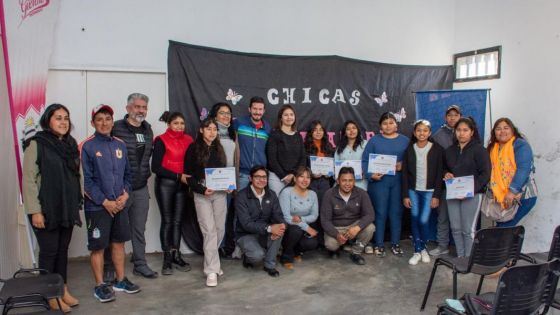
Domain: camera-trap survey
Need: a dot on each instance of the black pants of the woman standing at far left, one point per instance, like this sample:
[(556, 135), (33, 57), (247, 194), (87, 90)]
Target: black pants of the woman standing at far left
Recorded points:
[(53, 249)]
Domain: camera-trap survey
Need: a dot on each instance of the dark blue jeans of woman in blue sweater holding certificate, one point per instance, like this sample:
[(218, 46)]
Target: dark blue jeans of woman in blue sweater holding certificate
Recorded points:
[(386, 198)]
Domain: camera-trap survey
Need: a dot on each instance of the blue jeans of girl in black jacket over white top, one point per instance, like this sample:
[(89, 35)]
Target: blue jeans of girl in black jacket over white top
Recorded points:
[(420, 217)]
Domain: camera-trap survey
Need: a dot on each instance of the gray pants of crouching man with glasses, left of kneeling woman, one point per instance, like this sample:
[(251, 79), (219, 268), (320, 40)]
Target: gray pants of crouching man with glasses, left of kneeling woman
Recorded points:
[(257, 248)]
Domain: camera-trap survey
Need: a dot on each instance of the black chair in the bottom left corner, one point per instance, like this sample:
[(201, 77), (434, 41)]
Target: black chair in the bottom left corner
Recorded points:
[(30, 283)]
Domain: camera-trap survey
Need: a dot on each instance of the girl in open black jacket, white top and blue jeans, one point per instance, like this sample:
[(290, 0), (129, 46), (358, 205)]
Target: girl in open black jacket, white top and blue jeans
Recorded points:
[(421, 185)]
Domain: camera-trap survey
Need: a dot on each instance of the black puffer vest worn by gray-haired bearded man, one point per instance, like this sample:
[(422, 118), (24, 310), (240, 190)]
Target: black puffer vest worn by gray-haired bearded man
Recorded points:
[(140, 173)]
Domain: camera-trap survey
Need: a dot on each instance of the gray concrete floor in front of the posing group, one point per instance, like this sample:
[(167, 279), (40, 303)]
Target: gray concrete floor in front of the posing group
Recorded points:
[(318, 285)]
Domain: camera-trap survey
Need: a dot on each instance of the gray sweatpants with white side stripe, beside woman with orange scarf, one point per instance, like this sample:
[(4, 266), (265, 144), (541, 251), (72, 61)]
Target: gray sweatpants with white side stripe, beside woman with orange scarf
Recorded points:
[(463, 216)]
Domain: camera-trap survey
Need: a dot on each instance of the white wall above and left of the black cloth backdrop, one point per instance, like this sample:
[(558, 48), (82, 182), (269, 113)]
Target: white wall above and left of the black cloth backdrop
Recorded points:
[(129, 39)]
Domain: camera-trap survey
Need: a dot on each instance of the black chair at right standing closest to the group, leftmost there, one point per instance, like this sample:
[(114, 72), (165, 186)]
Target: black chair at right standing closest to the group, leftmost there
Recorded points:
[(493, 249)]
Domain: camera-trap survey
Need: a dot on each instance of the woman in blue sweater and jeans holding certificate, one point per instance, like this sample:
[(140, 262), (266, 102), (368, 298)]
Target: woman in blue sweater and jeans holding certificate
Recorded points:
[(381, 161)]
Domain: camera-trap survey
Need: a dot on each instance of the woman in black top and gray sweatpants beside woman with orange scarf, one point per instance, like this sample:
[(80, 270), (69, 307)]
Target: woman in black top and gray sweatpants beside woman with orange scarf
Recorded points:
[(465, 158)]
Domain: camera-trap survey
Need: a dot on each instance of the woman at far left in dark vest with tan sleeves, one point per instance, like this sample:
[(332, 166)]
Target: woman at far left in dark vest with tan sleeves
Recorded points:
[(52, 194)]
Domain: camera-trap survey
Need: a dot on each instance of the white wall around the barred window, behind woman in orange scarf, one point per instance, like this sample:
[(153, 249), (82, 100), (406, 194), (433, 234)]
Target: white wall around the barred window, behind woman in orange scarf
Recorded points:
[(528, 90)]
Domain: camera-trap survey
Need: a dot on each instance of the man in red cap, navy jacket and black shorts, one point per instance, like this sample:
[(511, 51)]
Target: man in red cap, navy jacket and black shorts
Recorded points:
[(107, 183)]
